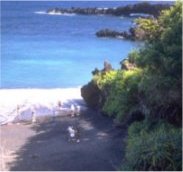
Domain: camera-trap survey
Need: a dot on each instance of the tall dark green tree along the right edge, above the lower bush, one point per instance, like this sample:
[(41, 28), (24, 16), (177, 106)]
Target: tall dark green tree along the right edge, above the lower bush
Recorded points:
[(161, 60)]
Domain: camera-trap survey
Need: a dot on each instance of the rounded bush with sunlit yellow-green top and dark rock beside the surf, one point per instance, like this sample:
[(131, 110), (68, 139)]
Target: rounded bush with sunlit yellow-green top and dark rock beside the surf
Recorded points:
[(116, 91)]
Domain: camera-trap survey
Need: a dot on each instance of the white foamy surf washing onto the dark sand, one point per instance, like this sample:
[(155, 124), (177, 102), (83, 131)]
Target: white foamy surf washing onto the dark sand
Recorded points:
[(20, 104)]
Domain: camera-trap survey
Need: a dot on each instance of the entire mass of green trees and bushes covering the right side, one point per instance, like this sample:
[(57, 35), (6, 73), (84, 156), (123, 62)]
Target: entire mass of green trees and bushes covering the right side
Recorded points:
[(148, 89)]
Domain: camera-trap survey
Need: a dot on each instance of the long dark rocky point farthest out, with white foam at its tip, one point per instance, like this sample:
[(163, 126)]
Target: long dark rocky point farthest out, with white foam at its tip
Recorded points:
[(129, 10)]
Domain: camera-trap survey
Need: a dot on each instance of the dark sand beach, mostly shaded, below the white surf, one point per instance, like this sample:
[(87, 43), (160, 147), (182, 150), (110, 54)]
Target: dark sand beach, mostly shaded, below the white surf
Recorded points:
[(45, 146)]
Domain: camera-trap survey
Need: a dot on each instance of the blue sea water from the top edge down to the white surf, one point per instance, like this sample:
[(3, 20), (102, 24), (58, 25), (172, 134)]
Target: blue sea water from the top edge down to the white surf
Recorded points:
[(49, 51)]
